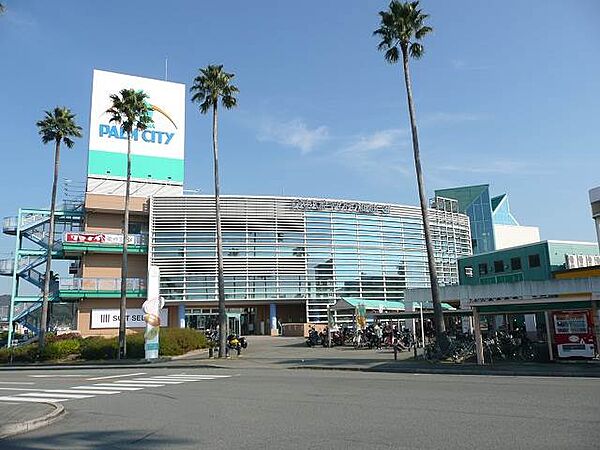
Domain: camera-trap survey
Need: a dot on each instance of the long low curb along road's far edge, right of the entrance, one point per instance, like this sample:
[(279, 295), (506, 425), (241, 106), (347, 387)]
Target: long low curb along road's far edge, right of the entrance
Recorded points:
[(448, 371)]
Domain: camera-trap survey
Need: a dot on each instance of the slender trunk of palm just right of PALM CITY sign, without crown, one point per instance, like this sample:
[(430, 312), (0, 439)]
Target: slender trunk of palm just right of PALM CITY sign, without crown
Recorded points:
[(220, 280)]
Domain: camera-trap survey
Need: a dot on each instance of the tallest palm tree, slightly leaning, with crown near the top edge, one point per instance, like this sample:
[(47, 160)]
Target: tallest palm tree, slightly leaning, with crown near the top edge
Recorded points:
[(401, 30)]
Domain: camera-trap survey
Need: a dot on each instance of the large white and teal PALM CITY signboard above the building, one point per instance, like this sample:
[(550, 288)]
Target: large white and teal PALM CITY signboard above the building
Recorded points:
[(158, 152)]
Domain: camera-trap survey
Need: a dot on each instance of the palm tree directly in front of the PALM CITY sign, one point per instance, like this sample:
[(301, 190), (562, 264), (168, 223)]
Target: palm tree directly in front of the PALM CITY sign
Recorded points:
[(132, 112)]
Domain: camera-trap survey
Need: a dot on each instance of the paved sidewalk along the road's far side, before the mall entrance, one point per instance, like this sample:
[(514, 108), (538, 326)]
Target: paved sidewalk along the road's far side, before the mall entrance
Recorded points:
[(267, 352)]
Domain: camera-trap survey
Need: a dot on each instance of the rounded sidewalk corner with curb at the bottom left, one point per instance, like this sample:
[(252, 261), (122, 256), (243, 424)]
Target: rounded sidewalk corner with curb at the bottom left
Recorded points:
[(16, 418)]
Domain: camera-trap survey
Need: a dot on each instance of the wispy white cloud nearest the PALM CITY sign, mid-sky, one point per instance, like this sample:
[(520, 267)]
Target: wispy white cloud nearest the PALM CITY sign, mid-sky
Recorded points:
[(294, 133)]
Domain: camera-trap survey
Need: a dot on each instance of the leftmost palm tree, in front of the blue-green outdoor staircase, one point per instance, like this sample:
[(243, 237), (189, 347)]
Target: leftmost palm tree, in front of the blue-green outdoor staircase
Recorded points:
[(59, 127)]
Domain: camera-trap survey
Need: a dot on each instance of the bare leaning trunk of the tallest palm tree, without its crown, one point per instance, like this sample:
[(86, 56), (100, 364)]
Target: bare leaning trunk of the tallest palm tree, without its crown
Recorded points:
[(438, 318)]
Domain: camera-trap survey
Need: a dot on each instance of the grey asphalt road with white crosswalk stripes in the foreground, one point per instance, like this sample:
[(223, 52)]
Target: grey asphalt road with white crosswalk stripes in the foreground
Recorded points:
[(256, 402)]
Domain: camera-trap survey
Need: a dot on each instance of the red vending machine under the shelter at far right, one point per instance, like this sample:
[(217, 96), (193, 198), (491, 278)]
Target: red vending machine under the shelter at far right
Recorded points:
[(574, 334)]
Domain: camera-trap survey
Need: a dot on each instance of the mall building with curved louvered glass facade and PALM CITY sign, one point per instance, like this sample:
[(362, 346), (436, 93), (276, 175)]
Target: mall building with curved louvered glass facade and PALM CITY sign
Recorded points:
[(285, 258)]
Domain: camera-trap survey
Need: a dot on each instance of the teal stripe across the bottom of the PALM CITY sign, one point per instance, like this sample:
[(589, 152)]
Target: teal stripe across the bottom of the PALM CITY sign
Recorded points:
[(149, 167)]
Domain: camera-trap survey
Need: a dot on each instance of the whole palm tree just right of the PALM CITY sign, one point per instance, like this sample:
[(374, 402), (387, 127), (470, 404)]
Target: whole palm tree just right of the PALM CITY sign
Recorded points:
[(212, 84)]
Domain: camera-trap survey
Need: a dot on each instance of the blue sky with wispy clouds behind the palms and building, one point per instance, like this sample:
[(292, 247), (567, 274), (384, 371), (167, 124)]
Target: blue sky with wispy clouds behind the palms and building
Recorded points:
[(507, 94)]
